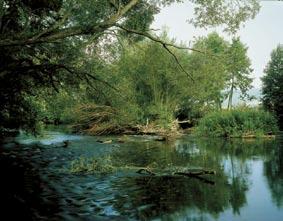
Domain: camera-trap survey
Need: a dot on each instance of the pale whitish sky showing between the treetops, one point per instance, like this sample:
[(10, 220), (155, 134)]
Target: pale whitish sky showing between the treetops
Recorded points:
[(261, 35)]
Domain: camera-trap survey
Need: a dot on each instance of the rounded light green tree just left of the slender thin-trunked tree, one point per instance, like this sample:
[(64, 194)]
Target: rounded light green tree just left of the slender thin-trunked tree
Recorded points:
[(209, 70)]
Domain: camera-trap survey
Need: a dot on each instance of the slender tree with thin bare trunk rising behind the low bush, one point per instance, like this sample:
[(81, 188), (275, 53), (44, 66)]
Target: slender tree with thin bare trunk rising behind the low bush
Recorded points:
[(239, 69)]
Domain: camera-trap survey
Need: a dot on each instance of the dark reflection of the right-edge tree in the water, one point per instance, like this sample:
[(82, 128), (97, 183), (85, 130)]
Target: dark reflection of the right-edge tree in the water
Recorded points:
[(273, 170)]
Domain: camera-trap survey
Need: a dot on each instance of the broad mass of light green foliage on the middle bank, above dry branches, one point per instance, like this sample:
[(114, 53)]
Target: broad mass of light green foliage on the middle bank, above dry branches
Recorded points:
[(152, 88)]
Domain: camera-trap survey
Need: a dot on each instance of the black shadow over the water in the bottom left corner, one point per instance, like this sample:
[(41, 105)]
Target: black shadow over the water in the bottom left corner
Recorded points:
[(21, 187)]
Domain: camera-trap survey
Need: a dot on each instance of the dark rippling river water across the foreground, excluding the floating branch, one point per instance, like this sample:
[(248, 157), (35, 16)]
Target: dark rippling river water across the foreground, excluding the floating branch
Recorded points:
[(36, 185)]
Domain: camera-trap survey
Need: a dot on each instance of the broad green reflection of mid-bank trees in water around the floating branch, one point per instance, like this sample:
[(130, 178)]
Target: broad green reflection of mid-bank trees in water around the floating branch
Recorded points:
[(156, 196)]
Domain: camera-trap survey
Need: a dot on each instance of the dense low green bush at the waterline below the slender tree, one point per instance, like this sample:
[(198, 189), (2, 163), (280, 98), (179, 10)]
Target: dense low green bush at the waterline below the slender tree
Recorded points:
[(237, 123)]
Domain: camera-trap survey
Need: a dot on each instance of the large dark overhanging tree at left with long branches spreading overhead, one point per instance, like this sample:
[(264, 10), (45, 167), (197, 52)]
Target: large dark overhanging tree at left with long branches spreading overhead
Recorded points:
[(43, 42)]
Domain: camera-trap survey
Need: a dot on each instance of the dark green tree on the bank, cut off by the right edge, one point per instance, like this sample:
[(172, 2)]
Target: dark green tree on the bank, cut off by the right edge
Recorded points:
[(272, 89)]
